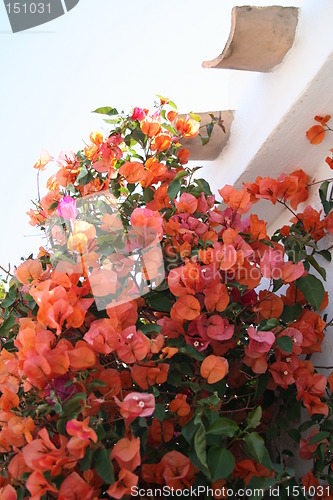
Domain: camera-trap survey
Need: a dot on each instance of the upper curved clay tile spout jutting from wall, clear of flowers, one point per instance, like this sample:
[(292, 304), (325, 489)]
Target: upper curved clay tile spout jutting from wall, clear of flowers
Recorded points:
[(259, 39)]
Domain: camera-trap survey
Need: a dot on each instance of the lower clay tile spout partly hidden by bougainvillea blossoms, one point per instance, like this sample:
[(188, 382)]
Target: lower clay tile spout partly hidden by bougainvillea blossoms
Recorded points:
[(218, 139)]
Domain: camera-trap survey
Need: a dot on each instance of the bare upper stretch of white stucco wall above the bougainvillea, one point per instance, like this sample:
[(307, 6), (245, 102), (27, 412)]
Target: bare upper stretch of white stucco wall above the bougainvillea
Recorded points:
[(275, 108)]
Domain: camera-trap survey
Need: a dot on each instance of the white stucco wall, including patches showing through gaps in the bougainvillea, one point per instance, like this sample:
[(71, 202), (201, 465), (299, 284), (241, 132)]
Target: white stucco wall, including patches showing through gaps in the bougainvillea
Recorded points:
[(267, 137)]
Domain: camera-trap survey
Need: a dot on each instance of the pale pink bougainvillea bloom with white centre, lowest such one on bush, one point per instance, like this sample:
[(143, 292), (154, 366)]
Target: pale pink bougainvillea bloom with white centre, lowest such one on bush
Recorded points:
[(136, 404)]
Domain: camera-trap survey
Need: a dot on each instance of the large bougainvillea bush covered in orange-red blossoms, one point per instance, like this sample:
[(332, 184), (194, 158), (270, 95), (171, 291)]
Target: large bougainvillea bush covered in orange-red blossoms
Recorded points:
[(163, 339)]
